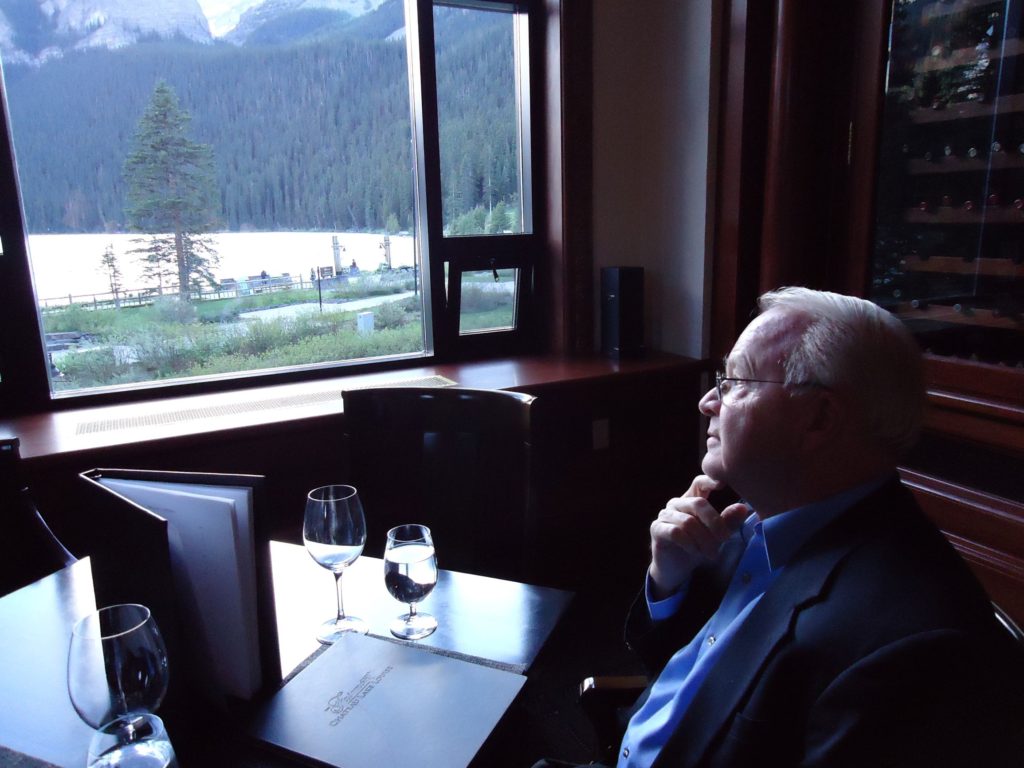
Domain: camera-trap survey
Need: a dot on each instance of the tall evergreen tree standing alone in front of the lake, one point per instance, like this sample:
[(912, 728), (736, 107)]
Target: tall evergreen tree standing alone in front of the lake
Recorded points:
[(173, 192)]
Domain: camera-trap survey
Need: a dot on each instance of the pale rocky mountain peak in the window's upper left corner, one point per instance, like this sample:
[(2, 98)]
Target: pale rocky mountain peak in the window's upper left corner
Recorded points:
[(35, 31)]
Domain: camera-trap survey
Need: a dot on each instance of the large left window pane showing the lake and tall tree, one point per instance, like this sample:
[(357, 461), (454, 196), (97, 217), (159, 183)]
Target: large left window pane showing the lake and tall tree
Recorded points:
[(205, 206)]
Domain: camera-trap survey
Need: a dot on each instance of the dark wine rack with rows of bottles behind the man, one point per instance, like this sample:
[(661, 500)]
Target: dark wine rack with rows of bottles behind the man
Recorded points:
[(950, 238)]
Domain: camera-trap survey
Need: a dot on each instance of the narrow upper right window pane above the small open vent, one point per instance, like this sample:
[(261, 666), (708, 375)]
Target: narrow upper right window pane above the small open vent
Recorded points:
[(480, 56)]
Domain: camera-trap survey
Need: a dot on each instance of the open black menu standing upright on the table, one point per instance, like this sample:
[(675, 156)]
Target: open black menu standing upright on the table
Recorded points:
[(135, 559)]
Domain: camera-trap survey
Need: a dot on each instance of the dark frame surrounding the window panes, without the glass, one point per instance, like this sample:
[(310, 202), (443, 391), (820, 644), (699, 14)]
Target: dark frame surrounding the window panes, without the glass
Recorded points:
[(25, 386)]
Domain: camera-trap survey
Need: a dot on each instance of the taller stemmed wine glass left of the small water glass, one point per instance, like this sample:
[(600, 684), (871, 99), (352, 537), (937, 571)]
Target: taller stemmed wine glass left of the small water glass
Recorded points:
[(335, 532)]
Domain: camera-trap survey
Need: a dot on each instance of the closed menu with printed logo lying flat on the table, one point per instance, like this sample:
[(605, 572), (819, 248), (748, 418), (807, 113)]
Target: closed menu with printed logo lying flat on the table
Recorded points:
[(367, 703)]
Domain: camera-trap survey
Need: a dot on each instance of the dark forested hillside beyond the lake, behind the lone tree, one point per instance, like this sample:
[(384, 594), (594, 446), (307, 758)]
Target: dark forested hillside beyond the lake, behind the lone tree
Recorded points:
[(309, 131)]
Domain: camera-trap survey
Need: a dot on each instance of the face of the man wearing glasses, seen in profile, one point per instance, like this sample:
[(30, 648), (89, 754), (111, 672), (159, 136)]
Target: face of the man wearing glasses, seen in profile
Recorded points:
[(753, 437)]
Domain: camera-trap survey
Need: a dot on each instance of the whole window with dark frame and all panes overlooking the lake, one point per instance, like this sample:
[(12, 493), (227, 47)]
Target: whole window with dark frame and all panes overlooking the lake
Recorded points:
[(281, 193)]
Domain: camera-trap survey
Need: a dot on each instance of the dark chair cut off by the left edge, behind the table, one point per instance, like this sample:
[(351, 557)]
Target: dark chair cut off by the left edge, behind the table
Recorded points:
[(29, 550)]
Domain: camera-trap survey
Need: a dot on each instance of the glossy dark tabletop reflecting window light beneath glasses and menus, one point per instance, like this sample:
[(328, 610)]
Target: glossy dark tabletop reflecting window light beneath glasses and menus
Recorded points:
[(493, 622)]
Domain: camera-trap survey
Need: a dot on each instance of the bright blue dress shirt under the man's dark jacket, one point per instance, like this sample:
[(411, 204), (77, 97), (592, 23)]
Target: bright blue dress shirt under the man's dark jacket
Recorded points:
[(771, 544)]
